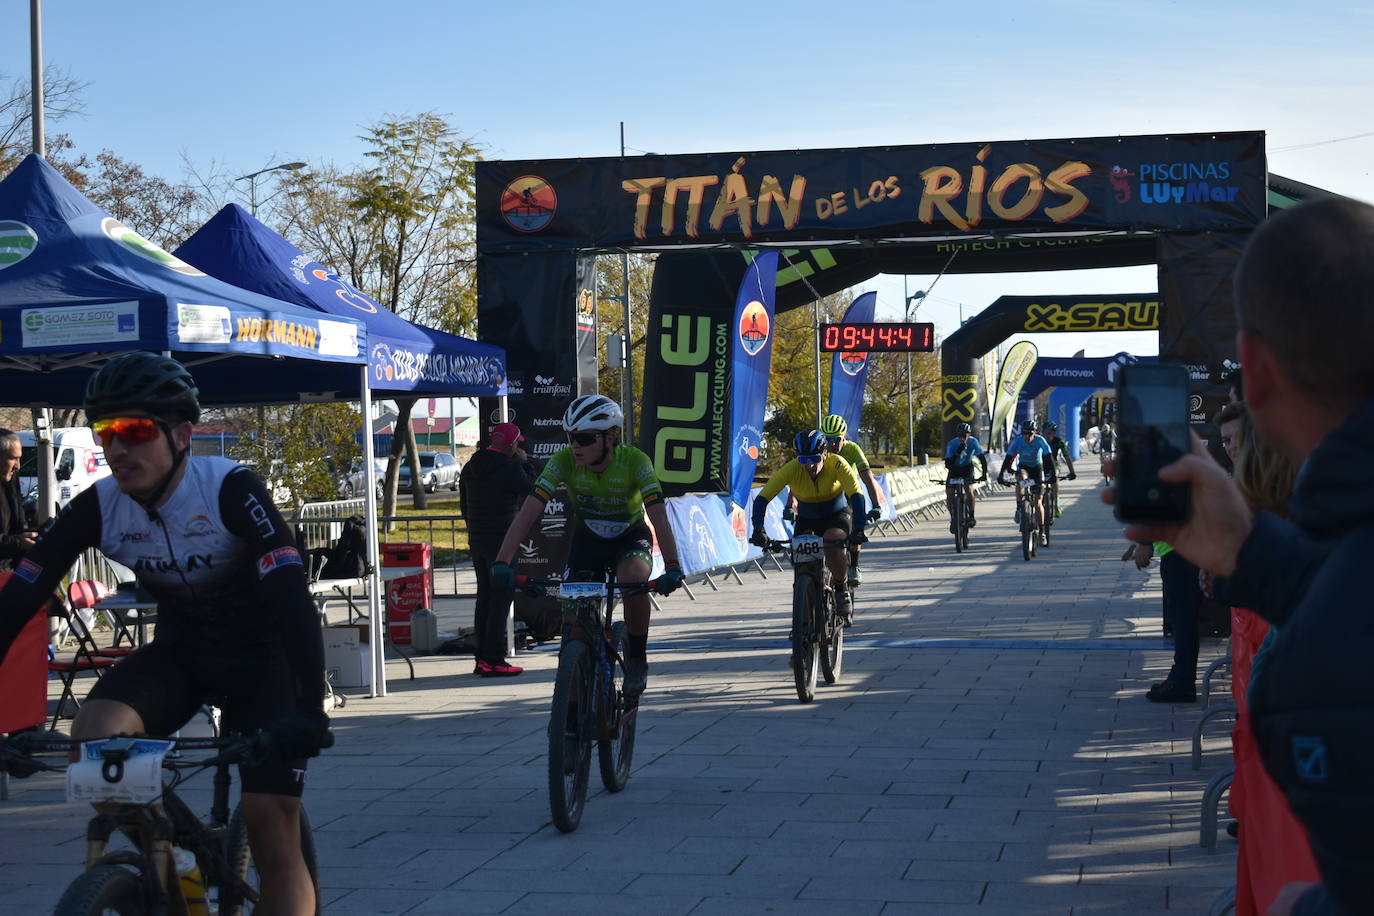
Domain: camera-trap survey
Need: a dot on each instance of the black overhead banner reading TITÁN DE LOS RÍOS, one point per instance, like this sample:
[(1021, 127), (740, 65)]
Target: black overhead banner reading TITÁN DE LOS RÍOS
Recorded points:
[(1151, 183)]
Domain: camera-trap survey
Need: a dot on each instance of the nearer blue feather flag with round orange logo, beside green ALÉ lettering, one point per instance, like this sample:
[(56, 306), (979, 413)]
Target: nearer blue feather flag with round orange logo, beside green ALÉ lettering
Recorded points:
[(751, 359)]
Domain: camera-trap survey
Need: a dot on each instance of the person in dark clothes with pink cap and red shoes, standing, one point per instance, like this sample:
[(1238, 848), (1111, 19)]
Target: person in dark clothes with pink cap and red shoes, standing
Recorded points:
[(491, 490)]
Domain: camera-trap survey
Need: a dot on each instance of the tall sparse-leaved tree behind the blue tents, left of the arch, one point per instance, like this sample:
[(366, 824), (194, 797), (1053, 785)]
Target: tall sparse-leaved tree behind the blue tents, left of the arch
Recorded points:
[(403, 231)]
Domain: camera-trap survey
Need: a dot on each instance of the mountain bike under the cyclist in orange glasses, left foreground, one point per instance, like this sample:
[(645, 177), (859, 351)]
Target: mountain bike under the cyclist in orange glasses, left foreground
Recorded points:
[(178, 859)]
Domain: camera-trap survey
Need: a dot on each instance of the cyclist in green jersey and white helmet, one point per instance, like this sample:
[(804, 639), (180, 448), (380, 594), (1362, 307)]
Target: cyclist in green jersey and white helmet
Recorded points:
[(612, 488)]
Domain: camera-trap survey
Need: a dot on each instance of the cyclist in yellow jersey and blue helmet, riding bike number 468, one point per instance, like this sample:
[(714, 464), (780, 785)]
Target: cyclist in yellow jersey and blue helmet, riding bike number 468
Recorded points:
[(829, 503)]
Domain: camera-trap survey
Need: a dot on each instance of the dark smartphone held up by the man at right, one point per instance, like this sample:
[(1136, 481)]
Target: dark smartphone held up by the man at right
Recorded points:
[(1152, 432)]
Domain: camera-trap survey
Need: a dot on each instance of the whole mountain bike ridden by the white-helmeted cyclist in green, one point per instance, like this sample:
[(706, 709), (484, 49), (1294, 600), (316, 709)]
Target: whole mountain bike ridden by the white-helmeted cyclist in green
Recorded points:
[(590, 701)]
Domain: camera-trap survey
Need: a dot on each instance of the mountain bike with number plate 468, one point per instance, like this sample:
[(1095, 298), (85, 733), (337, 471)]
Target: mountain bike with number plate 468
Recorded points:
[(818, 631)]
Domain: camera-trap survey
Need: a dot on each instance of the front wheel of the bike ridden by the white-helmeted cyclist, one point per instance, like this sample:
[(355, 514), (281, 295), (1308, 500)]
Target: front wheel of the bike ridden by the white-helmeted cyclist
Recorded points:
[(571, 735)]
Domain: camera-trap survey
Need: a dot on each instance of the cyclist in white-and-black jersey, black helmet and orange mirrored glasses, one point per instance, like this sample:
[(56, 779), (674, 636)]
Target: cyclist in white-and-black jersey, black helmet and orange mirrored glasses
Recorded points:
[(237, 626)]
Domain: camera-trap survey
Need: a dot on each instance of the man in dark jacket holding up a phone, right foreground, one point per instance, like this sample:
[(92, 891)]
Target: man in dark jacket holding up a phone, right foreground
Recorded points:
[(1305, 297)]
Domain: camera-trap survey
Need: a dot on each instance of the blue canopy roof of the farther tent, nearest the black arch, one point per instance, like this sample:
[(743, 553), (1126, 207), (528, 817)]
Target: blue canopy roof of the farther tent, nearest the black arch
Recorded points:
[(405, 359)]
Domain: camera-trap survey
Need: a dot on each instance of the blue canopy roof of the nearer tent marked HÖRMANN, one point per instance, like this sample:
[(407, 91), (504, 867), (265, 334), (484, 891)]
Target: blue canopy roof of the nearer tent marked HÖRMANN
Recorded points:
[(79, 288)]
